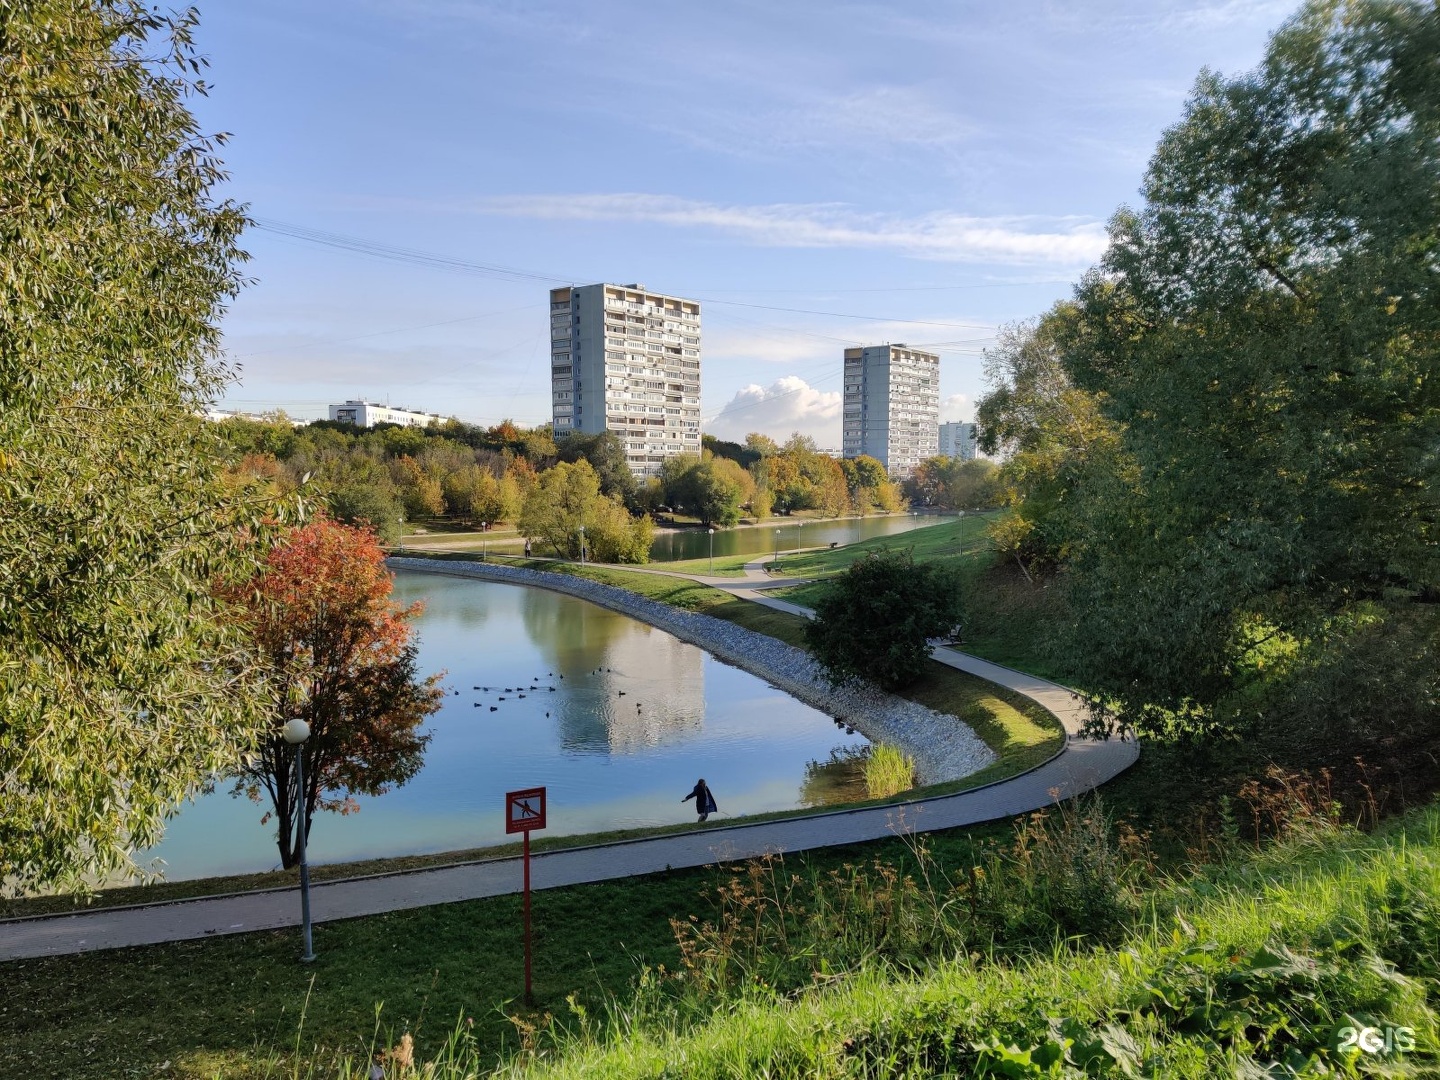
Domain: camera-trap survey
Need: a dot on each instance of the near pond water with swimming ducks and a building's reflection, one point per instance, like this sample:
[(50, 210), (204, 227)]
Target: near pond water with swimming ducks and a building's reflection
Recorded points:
[(634, 719)]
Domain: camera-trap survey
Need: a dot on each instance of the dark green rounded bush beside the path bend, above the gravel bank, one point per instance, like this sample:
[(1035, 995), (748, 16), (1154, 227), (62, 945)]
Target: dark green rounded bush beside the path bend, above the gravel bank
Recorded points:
[(875, 623)]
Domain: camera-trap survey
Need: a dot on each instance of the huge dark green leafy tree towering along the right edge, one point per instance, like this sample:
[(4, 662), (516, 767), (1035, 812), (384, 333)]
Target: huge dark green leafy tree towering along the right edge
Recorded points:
[(1265, 332)]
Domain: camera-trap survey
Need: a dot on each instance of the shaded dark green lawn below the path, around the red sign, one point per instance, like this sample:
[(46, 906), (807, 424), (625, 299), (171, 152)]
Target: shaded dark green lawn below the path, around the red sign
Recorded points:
[(227, 1006)]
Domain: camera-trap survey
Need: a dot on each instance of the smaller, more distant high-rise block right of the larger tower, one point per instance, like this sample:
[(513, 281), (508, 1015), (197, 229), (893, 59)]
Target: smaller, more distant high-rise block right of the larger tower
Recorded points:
[(892, 405)]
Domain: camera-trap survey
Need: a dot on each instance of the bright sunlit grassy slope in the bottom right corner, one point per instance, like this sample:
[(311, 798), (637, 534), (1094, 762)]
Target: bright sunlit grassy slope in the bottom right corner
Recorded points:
[(1336, 901)]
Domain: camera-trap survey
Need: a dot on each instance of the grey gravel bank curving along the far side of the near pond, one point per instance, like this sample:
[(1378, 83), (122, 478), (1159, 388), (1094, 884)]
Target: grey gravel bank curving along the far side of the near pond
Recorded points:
[(942, 747)]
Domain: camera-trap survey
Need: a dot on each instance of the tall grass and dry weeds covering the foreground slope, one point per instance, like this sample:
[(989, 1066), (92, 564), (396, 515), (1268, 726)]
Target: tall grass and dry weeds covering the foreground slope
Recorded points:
[(1062, 953)]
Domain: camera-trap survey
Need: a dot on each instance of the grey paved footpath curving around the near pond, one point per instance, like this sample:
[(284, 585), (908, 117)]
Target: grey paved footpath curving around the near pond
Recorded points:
[(1084, 764)]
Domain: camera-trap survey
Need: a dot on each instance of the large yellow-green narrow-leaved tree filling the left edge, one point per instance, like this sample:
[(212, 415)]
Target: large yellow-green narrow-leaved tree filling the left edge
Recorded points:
[(122, 685)]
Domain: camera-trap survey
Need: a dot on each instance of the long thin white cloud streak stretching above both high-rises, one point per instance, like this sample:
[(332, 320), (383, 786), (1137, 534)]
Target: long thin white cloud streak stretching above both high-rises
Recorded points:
[(1020, 240)]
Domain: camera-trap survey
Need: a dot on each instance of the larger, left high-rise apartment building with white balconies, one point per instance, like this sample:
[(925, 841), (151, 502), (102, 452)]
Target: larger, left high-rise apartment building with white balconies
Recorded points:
[(627, 361)]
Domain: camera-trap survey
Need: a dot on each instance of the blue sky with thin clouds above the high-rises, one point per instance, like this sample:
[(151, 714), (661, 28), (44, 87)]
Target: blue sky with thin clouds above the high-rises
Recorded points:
[(817, 174)]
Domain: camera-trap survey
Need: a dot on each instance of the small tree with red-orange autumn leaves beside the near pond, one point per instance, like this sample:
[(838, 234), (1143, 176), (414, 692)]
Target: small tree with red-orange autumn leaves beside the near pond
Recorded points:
[(339, 656)]
